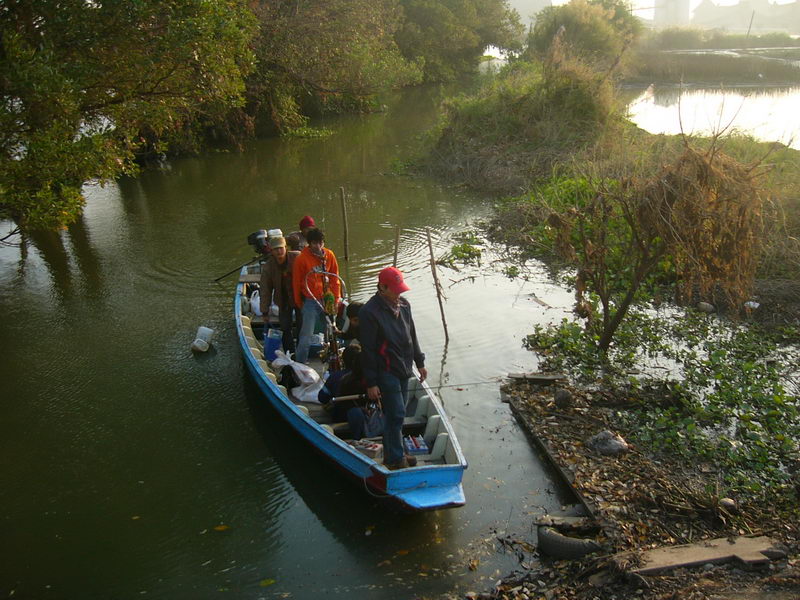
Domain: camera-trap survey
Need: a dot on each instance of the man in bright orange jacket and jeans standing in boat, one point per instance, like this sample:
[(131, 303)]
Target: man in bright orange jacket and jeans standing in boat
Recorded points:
[(325, 290)]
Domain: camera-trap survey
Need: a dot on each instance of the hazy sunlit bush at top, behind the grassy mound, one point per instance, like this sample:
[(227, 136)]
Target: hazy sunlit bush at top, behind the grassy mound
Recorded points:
[(595, 31)]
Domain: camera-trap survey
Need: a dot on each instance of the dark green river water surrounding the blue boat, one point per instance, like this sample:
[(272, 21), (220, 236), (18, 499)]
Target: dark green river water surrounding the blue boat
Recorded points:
[(132, 468)]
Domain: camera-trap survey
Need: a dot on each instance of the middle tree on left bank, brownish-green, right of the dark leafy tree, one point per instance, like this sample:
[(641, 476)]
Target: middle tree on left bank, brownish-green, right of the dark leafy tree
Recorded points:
[(339, 52)]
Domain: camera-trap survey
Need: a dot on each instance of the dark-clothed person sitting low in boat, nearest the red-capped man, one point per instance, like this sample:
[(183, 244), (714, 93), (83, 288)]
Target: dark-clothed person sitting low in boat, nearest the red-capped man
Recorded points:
[(349, 381)]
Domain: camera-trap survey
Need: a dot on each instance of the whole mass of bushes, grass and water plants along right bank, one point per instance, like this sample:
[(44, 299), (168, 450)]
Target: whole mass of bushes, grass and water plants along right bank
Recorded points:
[(632, 220)]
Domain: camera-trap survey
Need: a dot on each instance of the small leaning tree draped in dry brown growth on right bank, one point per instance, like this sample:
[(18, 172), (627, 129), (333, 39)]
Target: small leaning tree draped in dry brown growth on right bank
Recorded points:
[(698, 220)]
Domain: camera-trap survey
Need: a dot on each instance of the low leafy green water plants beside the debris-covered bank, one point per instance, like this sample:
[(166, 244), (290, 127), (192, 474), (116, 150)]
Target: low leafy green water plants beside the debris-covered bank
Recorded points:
[(728, 406)]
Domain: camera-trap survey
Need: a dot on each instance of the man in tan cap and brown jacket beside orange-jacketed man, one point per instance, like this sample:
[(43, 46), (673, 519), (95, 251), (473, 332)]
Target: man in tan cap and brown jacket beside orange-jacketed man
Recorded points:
[(276, 286)]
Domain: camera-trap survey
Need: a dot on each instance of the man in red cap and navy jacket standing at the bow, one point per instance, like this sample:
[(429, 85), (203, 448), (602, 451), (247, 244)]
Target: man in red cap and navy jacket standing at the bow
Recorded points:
[(389, 351)]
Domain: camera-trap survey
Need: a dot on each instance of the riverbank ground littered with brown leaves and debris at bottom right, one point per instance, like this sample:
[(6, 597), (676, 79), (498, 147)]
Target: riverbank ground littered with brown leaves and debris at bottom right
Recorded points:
[(642, 500)]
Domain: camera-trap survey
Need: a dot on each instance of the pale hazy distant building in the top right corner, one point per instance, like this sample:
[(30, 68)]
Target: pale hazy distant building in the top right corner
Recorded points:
[(764, 15)]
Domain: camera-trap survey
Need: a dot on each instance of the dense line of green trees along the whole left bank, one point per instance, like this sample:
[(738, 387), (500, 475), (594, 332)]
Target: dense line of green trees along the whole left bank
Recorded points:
[(89, 89)]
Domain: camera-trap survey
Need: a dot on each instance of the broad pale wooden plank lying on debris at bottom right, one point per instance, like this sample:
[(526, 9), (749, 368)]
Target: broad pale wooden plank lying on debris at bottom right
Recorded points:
[(753, 550)]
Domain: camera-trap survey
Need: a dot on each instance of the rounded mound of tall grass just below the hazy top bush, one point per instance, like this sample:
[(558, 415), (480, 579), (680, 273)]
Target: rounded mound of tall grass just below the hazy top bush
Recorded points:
[(521, 124)]
